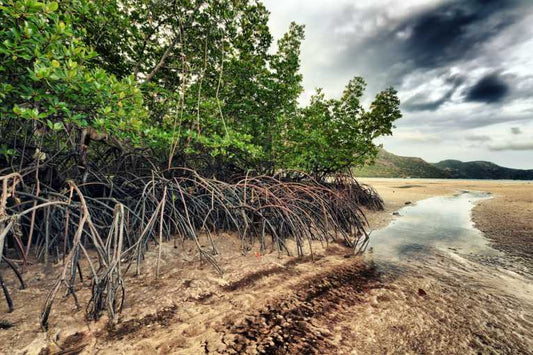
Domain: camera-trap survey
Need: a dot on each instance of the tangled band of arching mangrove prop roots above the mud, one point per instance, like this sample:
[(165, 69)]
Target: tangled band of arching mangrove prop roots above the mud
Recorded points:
[(120, 217)]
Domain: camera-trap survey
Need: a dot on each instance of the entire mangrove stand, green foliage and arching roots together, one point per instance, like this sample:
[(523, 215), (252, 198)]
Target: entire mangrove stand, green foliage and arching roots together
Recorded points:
[(125, 123)]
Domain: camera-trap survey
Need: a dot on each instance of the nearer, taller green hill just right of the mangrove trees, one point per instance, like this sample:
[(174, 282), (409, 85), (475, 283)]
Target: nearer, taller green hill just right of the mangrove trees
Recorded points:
[(390, 165)]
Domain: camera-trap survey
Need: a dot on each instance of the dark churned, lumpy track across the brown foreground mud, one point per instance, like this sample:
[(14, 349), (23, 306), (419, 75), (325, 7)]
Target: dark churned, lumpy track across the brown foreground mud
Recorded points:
[(298, 323)]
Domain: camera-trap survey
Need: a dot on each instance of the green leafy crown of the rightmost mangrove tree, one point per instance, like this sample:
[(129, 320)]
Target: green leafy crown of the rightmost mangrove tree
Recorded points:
[(331, 135)]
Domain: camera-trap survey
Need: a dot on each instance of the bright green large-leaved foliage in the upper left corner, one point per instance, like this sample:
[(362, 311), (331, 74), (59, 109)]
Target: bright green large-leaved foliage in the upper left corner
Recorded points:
[(48, 80)]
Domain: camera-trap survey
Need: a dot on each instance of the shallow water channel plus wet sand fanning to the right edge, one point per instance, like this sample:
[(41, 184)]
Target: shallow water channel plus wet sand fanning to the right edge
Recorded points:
[(438, 235)]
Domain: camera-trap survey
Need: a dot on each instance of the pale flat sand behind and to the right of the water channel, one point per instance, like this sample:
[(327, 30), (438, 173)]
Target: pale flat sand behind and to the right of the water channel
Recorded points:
[(506, 219)]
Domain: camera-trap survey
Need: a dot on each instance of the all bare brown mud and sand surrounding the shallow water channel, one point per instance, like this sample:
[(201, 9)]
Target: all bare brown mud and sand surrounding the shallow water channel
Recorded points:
[(328, 304)]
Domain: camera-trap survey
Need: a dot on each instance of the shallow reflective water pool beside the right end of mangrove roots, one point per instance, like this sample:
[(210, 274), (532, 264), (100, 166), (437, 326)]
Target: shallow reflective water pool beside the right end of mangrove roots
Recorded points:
[(438, 223)]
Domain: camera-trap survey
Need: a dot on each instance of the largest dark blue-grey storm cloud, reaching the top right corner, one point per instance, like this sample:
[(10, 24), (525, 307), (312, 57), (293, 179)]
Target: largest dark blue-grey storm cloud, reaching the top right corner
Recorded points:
[(433, 38)]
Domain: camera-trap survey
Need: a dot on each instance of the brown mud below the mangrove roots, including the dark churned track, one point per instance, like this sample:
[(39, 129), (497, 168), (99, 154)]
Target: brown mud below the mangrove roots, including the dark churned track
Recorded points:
[(192, 310)]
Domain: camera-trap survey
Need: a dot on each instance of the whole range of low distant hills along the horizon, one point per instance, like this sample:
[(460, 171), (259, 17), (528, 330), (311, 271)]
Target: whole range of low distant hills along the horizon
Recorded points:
[(390, 165)]
